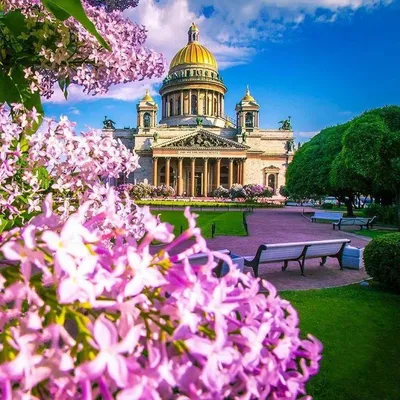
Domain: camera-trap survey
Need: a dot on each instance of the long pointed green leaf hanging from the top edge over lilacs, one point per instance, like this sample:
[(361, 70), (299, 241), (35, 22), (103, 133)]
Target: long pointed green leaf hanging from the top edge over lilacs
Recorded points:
[(62, 9)]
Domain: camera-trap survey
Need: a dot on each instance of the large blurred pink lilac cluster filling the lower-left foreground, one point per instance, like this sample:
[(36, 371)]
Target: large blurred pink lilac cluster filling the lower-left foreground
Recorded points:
[(83, 319)]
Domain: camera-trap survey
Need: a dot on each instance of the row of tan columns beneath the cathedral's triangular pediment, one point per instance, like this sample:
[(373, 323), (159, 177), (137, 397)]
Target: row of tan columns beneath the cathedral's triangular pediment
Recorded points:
[(198, 176)]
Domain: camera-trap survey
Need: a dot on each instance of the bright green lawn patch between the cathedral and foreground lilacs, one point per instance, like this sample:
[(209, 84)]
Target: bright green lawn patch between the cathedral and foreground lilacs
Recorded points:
[(229, 223)]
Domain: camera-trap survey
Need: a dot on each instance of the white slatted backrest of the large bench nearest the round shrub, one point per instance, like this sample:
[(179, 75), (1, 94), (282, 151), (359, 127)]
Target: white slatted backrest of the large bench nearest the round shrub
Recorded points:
[(292, 251)]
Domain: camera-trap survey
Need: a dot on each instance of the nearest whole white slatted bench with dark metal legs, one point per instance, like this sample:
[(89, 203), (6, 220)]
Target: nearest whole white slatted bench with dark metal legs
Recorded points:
[(300, 252)]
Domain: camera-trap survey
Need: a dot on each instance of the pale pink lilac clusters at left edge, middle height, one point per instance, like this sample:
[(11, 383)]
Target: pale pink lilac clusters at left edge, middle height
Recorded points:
[(71, 165)]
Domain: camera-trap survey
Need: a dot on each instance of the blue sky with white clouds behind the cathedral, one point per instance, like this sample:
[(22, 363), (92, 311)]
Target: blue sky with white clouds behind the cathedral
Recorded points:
[(320, 61)]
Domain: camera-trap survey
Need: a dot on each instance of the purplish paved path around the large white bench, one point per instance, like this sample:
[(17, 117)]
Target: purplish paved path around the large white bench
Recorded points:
[(289, 225)]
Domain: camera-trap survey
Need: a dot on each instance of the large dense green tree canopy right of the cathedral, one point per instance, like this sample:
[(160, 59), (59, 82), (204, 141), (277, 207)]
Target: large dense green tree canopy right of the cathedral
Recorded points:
[(360, 156)]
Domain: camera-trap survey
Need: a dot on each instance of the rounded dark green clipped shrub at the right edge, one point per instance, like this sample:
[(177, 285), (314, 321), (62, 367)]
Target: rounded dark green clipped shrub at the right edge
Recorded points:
[(382, 260)]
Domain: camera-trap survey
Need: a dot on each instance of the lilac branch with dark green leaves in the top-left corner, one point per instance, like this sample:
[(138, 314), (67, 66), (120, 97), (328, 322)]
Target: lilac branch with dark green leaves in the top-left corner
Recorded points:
[(67, 52)]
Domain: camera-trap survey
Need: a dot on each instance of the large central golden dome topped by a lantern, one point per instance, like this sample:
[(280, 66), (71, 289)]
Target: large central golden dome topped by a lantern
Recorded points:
[(194, 52)]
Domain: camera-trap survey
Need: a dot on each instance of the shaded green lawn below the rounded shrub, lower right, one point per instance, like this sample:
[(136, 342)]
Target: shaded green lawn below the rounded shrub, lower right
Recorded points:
[(360, 329)]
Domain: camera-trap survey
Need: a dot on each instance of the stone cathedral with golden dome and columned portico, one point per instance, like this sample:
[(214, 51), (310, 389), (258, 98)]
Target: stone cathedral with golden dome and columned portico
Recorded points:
[(196, 147)]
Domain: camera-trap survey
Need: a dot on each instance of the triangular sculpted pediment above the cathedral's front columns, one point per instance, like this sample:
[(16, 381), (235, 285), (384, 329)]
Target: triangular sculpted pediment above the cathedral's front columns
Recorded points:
[(201, 139)]
